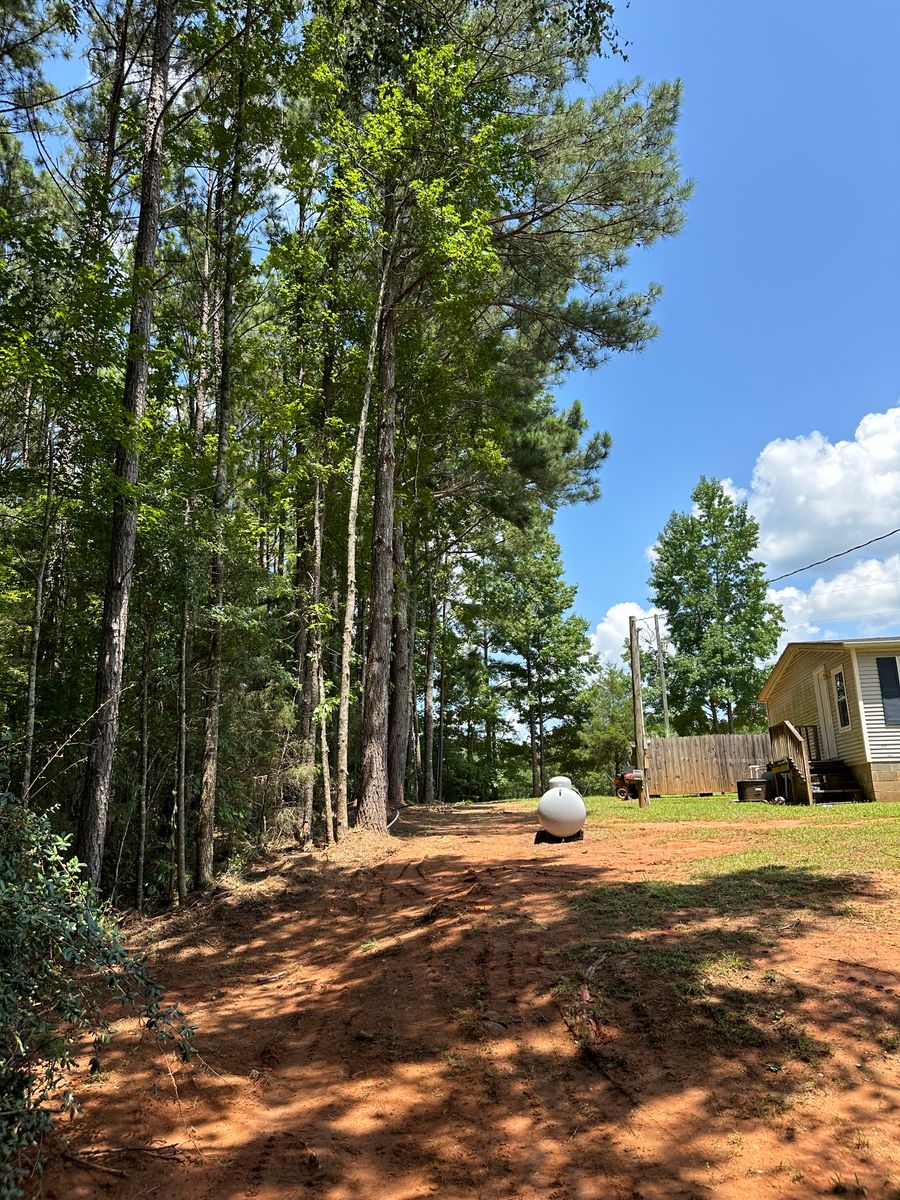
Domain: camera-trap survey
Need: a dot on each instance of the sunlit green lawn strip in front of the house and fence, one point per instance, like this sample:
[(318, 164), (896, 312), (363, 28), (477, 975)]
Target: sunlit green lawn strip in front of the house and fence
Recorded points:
[(836, 837)]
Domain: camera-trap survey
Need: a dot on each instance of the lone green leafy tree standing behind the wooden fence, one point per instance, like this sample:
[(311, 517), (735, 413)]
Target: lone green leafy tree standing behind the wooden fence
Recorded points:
[(722, 626)]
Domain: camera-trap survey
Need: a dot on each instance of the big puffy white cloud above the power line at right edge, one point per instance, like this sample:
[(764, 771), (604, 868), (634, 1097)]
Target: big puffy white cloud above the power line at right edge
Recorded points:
[(814, 497)]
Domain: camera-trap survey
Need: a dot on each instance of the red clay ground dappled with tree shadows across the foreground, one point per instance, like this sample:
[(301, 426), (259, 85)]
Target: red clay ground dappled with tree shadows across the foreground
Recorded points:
[(383, 1024)]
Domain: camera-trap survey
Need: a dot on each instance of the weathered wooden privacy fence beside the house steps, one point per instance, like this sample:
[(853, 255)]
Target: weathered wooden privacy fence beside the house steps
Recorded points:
[(712, 764)]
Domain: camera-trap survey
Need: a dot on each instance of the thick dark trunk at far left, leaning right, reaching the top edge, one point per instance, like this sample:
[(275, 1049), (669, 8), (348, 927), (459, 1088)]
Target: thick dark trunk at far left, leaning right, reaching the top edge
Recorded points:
[(111, 659)]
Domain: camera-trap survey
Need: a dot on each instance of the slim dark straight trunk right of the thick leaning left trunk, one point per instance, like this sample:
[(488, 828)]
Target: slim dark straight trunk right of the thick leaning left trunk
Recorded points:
[(209, 771)]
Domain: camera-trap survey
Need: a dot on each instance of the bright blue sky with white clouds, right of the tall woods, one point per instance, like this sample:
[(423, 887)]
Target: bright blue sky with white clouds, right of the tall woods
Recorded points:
[(781, 310)]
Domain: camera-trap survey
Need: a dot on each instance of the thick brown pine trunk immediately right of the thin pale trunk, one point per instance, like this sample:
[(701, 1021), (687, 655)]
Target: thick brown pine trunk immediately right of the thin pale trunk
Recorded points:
[(374, 784)]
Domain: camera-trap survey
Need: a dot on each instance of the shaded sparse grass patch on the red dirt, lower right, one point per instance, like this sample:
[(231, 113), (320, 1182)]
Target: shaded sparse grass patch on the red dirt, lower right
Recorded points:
[(698, 951)]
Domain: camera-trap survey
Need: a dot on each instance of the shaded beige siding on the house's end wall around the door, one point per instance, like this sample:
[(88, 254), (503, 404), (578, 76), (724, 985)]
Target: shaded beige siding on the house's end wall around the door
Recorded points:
[(794, 699)]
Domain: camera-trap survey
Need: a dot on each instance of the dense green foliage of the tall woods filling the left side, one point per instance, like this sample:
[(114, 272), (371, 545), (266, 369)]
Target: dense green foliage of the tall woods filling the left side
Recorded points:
[(451, 139)]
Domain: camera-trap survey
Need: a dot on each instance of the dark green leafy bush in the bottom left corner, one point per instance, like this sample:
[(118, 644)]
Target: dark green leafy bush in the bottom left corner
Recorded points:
[(61, 961)]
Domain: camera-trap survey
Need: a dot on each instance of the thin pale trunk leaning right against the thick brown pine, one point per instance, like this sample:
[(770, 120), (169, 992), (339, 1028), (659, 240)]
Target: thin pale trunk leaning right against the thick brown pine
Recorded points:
[(344, 710)]
